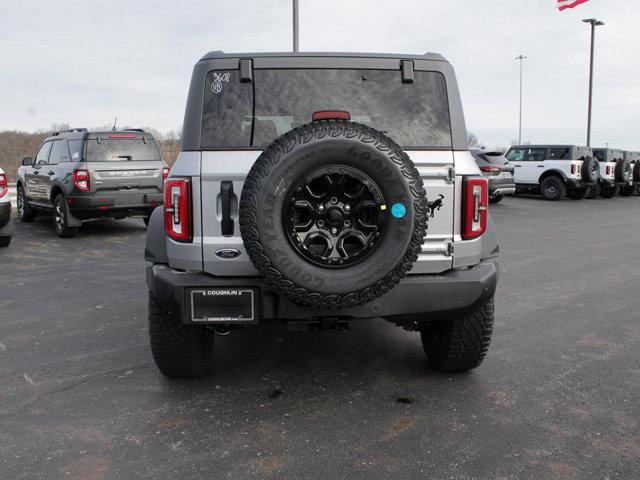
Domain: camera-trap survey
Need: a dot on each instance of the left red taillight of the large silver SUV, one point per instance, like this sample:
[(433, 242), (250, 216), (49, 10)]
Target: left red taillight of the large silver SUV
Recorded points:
[(177, 209)]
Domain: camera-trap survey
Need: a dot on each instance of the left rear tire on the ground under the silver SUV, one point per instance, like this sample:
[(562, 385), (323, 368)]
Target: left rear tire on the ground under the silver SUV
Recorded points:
[(180, 351)]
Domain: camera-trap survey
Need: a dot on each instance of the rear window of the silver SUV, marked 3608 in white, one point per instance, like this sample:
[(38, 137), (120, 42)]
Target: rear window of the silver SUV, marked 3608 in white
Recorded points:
[(415, 115)]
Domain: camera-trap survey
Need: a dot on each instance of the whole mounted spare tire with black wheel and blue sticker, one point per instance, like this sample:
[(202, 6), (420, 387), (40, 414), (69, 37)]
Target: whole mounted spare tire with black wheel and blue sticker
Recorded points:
[(333, 214)]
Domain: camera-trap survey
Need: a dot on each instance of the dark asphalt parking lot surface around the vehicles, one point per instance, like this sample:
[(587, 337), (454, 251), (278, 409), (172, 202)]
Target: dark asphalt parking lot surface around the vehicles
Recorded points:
[(557, 396)]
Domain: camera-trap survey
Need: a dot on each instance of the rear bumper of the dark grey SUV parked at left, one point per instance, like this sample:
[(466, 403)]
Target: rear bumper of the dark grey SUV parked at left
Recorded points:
[(94, 206)]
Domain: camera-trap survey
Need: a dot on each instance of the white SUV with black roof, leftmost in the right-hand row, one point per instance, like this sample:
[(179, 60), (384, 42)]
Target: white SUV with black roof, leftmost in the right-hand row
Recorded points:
[(554, 170)]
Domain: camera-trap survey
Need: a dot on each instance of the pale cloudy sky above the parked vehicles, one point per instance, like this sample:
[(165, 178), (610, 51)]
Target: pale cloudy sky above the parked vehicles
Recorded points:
[(85, 62)]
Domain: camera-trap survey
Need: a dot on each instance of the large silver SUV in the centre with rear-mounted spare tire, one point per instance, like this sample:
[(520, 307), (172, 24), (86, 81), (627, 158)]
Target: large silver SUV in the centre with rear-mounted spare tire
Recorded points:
[(299, 198)]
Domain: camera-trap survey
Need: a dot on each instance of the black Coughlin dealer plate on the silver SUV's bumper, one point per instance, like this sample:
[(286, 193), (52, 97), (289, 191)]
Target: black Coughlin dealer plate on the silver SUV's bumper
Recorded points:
[(223, 305)]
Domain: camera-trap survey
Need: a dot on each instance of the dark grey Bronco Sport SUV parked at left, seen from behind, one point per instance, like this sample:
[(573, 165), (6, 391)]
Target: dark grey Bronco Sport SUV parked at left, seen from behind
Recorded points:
[(81, 175)]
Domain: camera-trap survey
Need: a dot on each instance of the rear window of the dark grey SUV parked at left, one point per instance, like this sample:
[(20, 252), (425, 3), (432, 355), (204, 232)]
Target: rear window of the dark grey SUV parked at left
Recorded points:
[(121, 150)]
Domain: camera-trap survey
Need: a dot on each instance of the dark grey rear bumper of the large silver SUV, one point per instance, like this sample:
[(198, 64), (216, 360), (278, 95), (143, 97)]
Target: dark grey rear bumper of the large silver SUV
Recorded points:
[(418, 298)]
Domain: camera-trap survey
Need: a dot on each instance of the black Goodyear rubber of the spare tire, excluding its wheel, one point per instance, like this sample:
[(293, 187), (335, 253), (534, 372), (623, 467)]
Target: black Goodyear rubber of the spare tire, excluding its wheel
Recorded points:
[(262, 206)]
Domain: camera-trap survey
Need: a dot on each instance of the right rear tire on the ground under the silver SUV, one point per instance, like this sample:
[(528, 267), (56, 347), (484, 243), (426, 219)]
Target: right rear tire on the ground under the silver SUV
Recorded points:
[(460, 344)]
